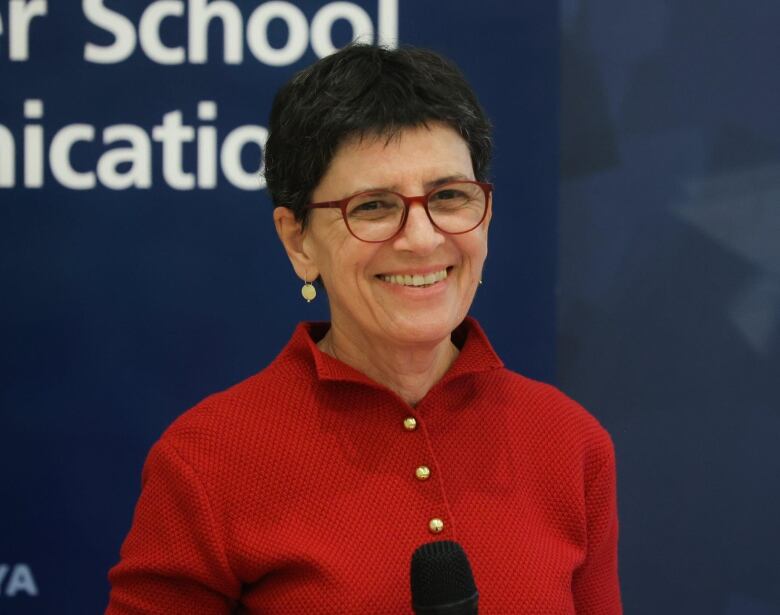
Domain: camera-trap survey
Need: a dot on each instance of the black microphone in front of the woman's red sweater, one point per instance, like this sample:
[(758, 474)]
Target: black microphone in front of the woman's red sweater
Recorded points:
[(442, 582)]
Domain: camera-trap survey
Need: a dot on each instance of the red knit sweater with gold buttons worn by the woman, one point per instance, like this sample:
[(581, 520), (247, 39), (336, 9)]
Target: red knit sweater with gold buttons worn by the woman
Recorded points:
[(296, 492)]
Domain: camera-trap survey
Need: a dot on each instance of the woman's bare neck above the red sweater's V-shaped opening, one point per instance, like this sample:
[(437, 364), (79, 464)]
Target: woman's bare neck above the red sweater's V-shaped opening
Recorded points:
[(408, 370)]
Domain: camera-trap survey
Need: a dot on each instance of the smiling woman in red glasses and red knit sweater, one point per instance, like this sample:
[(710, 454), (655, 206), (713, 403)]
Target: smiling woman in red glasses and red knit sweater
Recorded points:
[(306, 488)]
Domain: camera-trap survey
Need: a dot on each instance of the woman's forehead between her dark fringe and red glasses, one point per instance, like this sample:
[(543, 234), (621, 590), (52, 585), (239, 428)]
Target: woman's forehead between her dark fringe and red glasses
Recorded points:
[(403, 160)]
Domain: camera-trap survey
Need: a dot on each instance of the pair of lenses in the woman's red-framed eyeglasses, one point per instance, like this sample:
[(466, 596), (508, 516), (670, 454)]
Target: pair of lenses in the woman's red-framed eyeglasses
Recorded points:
[(454, 208)]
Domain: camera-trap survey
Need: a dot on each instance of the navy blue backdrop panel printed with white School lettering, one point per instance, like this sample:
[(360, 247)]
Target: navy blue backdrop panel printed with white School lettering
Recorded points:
[(140, 269)]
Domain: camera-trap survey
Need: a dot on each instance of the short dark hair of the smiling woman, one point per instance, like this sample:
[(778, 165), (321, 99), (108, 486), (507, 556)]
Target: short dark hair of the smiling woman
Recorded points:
[(364, 90)]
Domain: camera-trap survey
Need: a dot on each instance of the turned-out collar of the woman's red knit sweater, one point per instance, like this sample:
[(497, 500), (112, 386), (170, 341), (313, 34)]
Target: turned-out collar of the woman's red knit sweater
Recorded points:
[(476, 354)]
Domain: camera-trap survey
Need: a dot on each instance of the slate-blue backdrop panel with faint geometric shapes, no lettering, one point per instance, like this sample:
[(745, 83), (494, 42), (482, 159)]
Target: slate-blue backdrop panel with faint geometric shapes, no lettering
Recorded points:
[(669, 277)]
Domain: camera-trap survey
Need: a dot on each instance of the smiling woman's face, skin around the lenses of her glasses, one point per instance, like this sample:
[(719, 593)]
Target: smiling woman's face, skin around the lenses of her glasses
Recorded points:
[(364, 304)]
